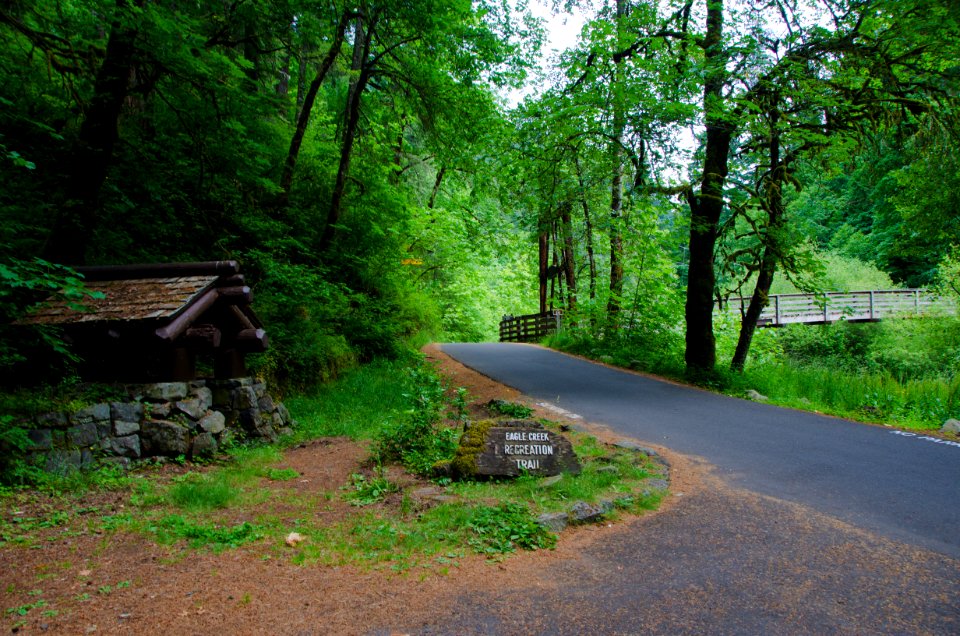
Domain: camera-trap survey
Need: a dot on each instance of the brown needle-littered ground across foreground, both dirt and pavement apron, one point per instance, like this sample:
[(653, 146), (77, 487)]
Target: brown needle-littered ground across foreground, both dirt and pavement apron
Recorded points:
[(713, 560)]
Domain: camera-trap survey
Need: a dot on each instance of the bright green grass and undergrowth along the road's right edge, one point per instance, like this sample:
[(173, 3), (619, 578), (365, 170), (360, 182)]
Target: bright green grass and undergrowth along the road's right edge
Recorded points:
[(902, 372)]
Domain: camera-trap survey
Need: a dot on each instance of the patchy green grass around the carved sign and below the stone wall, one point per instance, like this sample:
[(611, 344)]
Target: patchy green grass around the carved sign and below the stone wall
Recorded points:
[(217, 507)]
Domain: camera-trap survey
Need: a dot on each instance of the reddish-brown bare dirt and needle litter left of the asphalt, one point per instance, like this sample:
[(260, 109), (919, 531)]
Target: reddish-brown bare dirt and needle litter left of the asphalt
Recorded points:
[(73, 577)]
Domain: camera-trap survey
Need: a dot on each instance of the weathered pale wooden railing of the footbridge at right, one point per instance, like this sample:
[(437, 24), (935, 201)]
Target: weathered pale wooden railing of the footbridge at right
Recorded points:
[(785, 309)]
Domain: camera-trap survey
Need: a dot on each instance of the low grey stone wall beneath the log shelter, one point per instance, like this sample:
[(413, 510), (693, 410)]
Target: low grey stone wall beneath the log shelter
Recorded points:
[(167, 419)]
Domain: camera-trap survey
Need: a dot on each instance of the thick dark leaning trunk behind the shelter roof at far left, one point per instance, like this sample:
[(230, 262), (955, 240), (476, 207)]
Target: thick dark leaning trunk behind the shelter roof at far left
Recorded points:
[(93, 152)]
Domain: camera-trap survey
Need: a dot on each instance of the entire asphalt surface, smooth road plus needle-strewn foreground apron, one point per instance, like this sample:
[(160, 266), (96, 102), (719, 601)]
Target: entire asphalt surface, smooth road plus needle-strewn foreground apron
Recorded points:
[(809, 524)]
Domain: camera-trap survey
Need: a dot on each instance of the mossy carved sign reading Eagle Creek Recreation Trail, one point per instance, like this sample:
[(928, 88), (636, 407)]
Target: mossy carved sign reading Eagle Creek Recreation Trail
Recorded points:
[(513, 447)]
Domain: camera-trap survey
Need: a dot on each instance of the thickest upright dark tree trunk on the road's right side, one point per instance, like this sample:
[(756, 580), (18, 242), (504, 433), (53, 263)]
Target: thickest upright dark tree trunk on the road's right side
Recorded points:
[(706, 208)]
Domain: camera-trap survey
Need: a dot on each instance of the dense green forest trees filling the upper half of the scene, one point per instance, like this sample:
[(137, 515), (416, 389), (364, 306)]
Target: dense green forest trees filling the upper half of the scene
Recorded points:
[(361, 161)]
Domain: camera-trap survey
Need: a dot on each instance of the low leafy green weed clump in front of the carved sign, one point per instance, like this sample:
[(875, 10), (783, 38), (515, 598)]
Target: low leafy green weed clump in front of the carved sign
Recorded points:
[(502, 529)]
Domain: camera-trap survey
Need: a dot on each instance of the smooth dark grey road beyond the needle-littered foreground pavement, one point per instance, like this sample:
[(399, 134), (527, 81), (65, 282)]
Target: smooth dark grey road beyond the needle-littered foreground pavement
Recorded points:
[(903, 488)]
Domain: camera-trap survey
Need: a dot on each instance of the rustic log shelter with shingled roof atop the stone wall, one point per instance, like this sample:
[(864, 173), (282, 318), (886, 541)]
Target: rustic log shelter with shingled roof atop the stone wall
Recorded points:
[(155, 320)]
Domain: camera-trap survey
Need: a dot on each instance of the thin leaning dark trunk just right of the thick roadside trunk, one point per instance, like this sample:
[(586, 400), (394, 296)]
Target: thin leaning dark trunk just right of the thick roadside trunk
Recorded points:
[(771, 250)]
